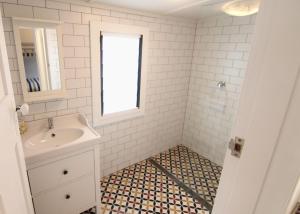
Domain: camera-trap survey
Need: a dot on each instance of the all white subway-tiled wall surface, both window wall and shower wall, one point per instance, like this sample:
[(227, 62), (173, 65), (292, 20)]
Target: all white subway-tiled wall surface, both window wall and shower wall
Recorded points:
[(183, 72)]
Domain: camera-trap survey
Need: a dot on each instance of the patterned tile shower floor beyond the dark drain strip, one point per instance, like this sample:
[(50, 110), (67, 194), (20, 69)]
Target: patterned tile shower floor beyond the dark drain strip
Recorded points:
[(197, 172)]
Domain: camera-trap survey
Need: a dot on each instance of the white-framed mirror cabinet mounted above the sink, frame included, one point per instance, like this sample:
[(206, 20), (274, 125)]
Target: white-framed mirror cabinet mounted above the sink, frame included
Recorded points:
[(39, 52)]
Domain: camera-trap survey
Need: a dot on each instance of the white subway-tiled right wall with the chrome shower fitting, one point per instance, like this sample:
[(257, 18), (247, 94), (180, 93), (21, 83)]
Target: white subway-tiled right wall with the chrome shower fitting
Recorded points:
[(222, 46)]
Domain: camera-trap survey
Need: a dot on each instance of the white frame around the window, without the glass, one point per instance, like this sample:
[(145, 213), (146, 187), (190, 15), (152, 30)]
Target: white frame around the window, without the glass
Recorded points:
[(96, 28)]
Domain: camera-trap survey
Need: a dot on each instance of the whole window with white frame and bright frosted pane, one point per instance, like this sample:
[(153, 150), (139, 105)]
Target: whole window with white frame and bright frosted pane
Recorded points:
[(118, 60)]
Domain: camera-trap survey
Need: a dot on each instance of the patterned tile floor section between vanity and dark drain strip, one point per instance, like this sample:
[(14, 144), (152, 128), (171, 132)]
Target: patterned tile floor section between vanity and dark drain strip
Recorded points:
[(143, 188)]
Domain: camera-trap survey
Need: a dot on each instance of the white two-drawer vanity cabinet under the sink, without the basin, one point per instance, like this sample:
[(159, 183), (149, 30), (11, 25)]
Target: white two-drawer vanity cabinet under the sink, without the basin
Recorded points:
[(67, 184)]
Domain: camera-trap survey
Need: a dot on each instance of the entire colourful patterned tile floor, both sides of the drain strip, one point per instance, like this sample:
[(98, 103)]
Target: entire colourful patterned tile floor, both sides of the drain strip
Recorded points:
[(176, 181)]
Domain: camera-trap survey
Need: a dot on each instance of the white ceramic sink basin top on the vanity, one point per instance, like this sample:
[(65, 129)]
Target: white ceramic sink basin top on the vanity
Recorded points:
[(69, 132)]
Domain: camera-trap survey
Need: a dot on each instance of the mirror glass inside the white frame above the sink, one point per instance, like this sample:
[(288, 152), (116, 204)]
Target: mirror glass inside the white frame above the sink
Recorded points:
[(40, 57)]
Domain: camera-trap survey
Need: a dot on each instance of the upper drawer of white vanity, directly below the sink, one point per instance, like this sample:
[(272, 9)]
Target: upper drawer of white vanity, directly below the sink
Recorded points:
[(59, 172)]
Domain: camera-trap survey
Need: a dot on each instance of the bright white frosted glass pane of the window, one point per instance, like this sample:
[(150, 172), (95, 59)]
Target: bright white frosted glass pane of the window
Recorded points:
[(120, 72)]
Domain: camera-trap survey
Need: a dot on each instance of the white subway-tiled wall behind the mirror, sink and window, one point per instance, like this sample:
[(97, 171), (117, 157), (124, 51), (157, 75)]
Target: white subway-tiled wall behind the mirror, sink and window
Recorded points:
[(170, 58)]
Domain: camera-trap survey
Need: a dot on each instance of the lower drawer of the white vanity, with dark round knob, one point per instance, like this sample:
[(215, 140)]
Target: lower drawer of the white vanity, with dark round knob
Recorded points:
[(68, 199)]
